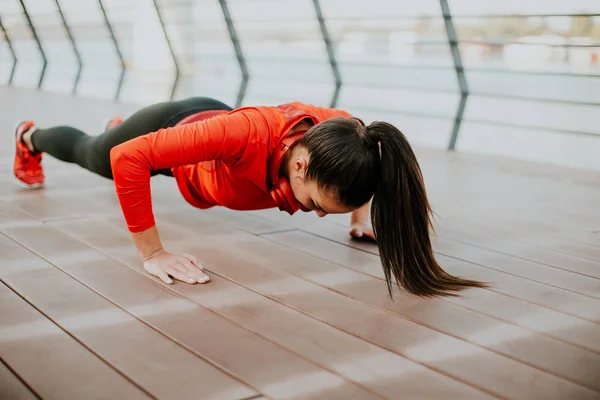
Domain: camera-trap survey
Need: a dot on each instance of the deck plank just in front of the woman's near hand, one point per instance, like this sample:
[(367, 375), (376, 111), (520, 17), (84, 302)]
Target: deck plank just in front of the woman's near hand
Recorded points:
[(282, 374)]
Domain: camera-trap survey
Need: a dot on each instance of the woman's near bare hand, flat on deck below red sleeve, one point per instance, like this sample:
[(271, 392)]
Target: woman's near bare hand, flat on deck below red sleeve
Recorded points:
[(183, 267)]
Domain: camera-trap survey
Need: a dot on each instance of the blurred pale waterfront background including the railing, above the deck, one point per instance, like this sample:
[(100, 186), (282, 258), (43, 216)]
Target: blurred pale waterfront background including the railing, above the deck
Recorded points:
[(518, 78)]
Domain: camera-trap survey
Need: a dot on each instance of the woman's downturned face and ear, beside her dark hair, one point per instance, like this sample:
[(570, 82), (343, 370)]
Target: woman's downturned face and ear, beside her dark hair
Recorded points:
[(308, 193)]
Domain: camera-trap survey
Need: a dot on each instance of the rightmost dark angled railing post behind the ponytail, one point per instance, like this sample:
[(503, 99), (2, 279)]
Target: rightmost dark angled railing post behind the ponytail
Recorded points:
[(460, 72)]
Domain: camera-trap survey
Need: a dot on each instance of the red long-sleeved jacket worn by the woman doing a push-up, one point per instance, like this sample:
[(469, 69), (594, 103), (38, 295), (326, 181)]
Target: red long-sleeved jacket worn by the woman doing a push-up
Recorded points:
[(218, 161)]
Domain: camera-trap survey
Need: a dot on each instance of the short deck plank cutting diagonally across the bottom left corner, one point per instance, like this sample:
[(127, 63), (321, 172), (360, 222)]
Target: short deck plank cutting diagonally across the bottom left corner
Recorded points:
[(51, 362)]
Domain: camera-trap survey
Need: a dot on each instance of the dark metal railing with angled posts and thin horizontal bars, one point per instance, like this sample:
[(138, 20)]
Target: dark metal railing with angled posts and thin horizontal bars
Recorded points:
[(186, 63)]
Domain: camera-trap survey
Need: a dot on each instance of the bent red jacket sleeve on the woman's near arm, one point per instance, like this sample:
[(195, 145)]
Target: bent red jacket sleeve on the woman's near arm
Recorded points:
[(223, 137)]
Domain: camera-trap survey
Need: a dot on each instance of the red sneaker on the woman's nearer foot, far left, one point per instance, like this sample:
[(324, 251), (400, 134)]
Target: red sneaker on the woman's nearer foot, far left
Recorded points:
[(28, 166)]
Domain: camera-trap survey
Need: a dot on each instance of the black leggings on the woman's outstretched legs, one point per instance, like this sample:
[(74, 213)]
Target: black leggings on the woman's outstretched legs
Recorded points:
[(93, 152)]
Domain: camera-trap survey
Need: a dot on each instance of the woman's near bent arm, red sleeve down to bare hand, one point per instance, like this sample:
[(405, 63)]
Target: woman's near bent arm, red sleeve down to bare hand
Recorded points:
[(223, 137)]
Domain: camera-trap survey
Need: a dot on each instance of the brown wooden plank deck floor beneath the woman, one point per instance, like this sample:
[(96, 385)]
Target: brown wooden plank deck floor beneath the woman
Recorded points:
[(295, 309)]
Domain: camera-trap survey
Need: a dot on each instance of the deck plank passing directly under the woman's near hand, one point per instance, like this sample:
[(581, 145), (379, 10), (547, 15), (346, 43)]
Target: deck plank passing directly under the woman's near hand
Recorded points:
[(348, 356)]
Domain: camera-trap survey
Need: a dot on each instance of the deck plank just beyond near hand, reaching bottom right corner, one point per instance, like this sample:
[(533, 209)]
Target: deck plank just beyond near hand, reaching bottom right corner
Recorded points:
[(462, 360)]
